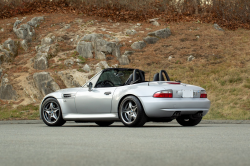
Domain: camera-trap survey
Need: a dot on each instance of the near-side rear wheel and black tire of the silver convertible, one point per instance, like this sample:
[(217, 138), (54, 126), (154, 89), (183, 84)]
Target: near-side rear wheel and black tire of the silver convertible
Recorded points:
[(133, 116)]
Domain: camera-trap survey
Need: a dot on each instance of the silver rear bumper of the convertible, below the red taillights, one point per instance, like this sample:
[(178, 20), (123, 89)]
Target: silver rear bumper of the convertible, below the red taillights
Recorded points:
[(165, 107)]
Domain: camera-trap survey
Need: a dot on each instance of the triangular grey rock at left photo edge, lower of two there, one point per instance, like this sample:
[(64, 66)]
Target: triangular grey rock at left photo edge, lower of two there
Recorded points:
[(7, 92)]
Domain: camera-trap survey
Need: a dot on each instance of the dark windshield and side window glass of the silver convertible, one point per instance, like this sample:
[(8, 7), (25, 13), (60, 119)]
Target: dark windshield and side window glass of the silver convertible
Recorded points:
[(114, 77)]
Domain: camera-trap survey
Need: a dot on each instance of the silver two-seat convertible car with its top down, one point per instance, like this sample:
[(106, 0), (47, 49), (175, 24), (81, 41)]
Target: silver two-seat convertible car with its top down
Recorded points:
[(120, 94)]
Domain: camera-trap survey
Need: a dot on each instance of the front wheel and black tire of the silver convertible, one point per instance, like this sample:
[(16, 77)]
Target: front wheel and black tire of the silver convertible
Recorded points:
[(48, 119)]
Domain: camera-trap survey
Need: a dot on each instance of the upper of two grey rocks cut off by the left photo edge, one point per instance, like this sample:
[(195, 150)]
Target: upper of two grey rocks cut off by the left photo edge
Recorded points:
[(9, 50)]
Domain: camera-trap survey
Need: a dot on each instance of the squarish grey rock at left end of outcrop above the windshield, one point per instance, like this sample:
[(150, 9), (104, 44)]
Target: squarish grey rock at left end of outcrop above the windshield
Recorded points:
[(85, 49)]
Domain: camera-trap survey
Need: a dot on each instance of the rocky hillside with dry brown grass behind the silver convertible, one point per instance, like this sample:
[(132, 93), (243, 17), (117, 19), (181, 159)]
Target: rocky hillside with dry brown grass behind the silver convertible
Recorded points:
[(221, 61)]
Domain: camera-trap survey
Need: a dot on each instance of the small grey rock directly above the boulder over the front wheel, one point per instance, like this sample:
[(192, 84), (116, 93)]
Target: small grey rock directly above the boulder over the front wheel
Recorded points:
[(41, 62)]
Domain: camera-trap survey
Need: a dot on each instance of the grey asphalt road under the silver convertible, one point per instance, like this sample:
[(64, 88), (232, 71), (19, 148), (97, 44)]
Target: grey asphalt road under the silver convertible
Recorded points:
[(154, 144)]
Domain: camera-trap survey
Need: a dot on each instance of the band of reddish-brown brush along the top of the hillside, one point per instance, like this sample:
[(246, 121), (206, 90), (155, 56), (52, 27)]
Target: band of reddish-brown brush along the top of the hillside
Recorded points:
[(229, 13)]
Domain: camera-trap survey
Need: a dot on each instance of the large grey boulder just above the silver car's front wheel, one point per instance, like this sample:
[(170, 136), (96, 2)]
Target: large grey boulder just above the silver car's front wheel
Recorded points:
[(45, 83)]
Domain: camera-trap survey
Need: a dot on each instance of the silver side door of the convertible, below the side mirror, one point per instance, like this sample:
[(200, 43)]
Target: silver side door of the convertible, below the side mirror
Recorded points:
[(96, 101)]
